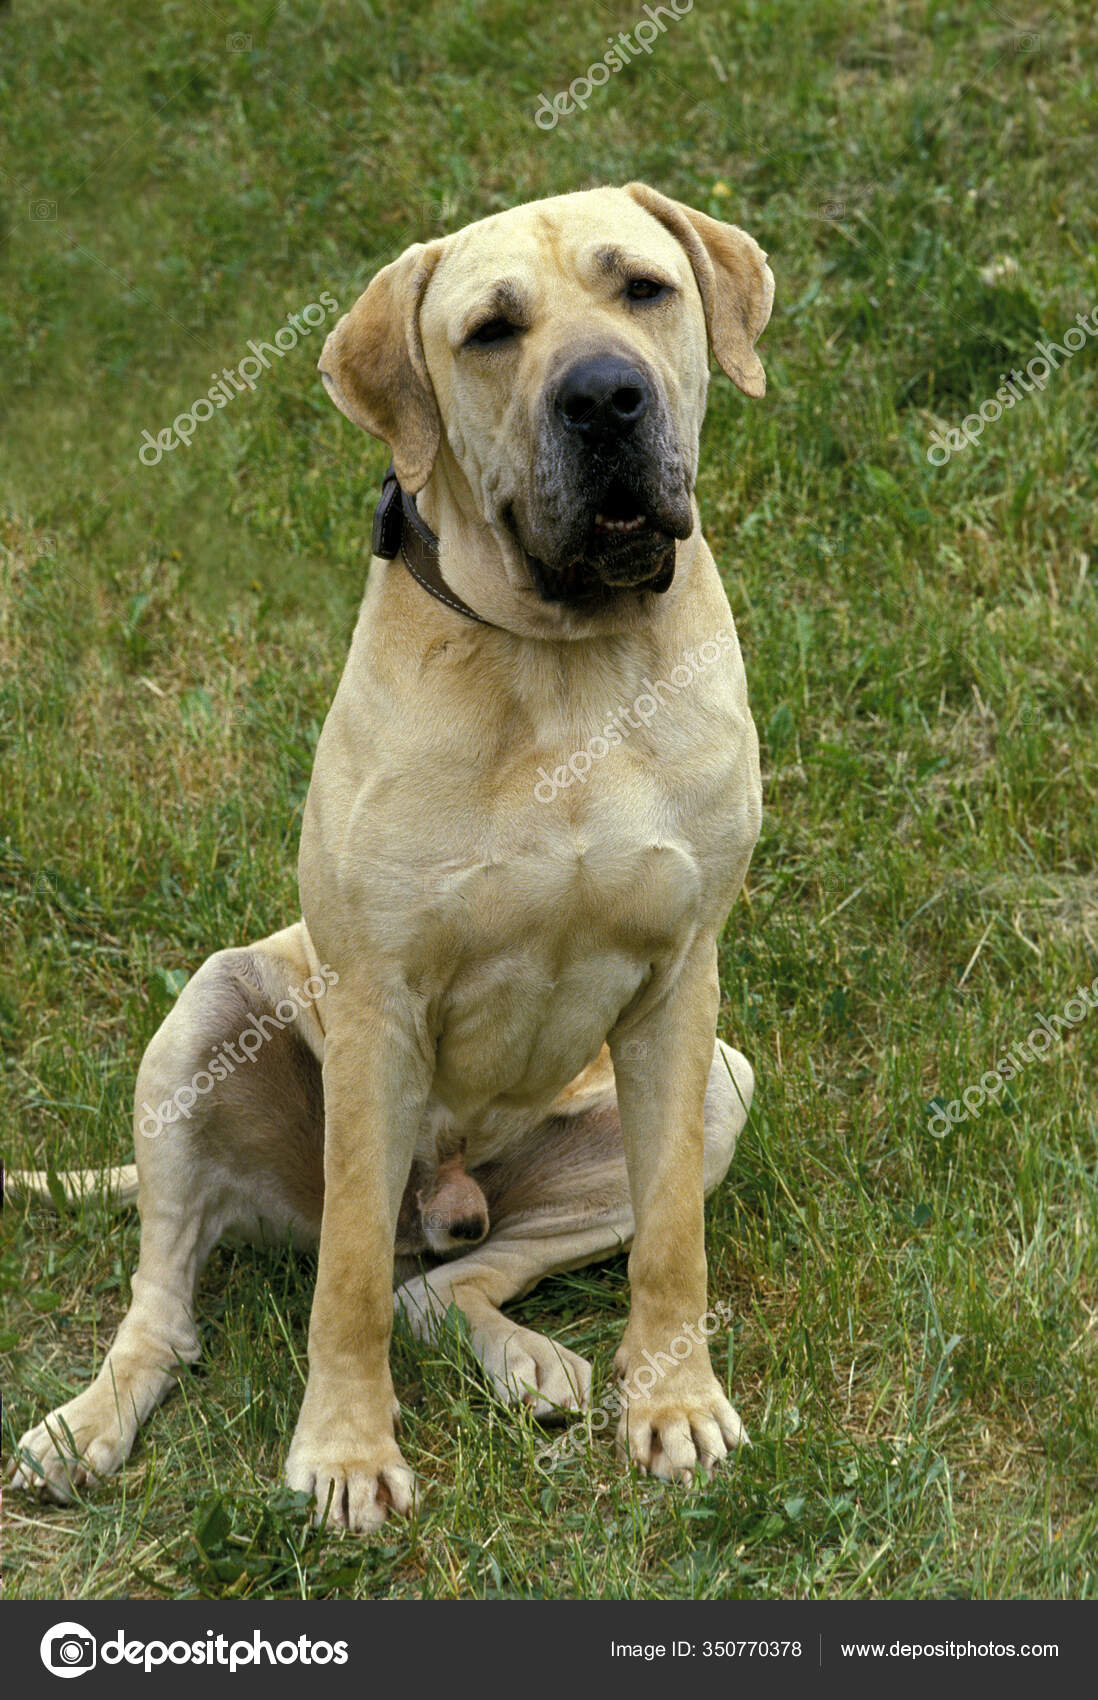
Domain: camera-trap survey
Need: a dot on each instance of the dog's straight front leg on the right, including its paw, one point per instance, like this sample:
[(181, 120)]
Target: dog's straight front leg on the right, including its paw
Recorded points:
[(676, 1415)]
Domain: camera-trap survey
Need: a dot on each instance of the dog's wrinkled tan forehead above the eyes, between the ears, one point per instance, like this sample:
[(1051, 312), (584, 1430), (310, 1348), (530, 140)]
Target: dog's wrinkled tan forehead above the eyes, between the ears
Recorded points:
[(514, 261)]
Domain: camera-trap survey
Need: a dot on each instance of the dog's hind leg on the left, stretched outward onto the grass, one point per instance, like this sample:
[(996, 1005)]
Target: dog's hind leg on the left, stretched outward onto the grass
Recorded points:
[(247, 1159)]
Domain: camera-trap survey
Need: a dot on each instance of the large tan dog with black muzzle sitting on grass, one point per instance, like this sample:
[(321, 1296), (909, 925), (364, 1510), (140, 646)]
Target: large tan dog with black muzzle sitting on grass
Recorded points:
[(521, 844)]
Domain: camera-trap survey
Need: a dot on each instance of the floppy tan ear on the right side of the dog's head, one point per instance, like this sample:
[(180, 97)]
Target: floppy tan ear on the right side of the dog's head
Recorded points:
[(733, 280)]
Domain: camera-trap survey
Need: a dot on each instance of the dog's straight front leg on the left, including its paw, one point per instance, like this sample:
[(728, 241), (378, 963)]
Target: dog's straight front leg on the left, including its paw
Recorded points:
[(344, 1449)]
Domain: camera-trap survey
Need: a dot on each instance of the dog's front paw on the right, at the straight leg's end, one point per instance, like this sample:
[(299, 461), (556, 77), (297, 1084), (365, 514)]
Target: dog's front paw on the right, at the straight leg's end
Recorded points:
[(674, 1432)]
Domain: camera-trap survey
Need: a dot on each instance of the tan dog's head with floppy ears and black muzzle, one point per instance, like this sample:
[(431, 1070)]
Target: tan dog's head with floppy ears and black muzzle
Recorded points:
[(558, 358)]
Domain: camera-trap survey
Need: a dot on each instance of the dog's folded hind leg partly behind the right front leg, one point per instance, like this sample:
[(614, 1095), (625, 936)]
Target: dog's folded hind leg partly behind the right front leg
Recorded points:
[(557, 1203)]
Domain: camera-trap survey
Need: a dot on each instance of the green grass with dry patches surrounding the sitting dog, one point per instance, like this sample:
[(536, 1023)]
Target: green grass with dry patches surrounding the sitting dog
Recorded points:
[(915, 1339)]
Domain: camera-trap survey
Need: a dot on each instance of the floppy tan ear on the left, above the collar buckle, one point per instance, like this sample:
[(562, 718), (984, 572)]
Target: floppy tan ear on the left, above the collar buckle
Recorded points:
[(375, 371)]
